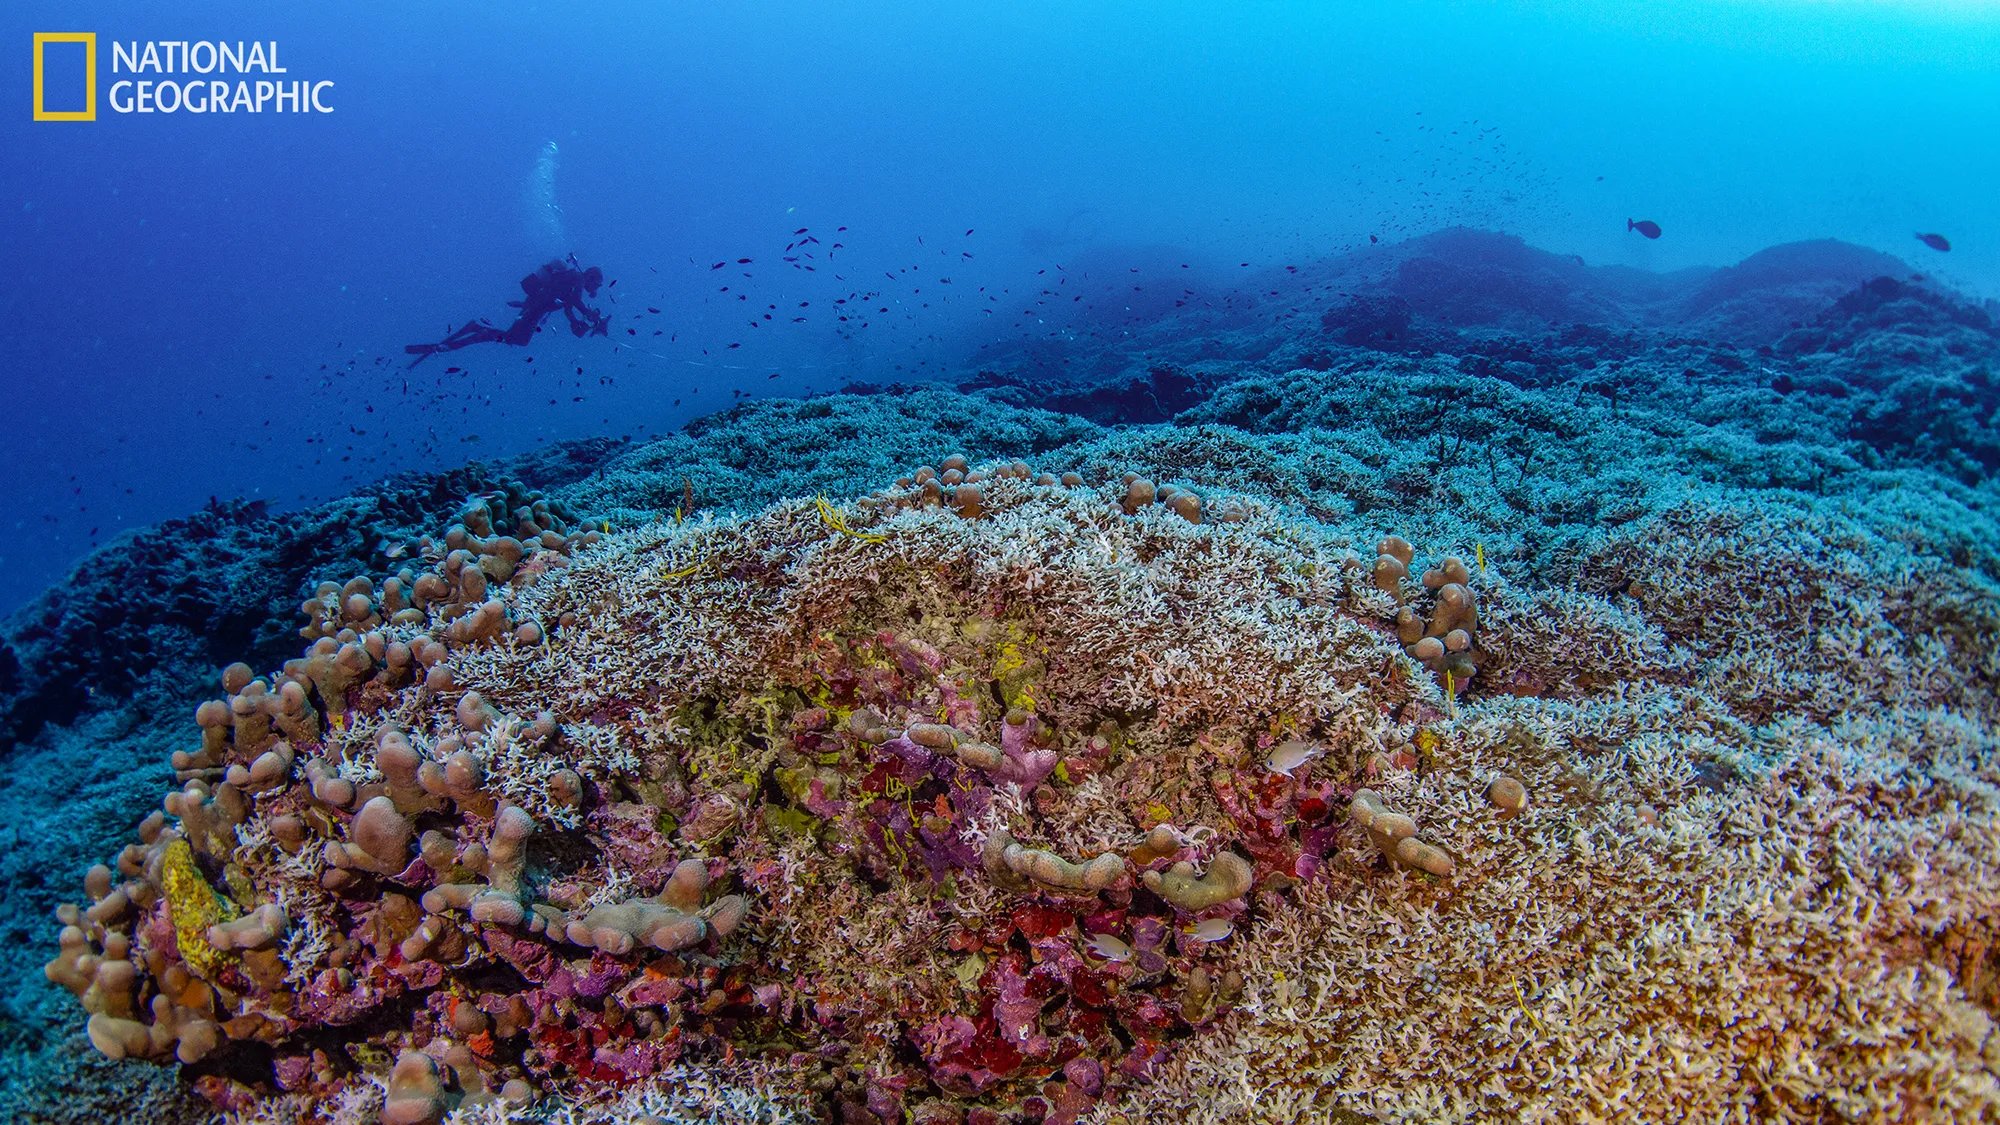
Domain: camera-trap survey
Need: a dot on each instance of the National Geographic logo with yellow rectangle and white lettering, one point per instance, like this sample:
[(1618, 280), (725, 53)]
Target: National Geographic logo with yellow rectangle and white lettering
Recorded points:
[(169, 77)]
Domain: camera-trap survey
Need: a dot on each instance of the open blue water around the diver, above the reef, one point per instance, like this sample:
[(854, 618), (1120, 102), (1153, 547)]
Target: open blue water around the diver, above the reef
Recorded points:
[(217, 305)]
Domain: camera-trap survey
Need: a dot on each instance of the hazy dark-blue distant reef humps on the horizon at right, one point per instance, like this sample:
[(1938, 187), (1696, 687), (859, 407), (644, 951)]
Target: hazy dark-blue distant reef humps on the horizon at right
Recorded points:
[(1885, 359)]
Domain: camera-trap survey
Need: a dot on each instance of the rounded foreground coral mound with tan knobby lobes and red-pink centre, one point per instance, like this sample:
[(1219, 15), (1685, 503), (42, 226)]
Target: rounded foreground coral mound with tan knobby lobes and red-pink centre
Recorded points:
[(857, 734)]
